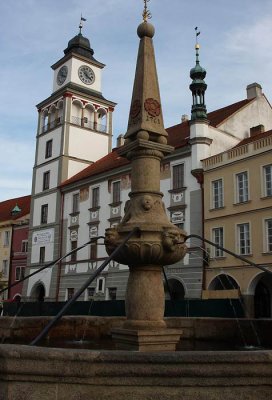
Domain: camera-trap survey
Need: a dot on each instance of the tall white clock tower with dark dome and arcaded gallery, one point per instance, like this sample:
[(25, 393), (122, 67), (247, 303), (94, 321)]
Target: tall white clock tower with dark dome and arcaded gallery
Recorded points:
[(74, 130)]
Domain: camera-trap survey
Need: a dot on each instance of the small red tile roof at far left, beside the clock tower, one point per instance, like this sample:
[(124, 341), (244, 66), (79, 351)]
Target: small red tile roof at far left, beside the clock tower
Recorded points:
[(7, 206)]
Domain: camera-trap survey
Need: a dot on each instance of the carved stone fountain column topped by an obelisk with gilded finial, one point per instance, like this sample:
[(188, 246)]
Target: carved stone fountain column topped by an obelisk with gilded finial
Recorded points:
[(159, 242)]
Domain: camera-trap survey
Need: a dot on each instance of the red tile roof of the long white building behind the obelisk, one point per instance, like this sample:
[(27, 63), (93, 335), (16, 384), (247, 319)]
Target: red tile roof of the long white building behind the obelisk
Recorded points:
[(178, 136)]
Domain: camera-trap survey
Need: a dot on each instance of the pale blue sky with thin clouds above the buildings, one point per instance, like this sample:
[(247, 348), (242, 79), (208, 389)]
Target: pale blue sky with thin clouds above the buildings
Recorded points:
[(235, 50)]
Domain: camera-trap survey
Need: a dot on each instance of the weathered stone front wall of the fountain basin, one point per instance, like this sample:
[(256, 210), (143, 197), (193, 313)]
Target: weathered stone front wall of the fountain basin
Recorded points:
[(44, 373)]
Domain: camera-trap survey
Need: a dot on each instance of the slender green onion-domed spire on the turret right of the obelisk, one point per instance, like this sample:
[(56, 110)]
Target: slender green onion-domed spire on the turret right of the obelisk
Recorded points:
[(198, 87)]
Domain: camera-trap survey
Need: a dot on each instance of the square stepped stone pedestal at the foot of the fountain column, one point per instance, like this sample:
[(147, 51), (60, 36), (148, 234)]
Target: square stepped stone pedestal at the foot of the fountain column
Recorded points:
[(146, 340)]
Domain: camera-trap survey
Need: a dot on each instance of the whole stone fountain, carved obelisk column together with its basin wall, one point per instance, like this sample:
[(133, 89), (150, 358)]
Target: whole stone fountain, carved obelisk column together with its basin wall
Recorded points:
[(29, 372)]
